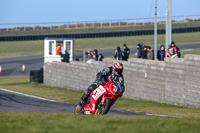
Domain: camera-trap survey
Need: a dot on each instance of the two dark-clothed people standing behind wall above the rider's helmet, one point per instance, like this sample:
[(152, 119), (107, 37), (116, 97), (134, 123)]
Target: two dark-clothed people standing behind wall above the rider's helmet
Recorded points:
[(122, 55)]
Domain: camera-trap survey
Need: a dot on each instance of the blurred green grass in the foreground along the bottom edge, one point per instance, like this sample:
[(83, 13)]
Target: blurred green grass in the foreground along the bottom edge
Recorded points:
[(60, 123)]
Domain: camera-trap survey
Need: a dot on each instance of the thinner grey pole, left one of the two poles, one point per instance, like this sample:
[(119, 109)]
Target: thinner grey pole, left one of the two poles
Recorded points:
[(155, 32)]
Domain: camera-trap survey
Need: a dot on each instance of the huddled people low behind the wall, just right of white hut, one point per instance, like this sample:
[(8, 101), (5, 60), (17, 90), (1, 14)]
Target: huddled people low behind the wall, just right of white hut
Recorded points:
[(94, 55)]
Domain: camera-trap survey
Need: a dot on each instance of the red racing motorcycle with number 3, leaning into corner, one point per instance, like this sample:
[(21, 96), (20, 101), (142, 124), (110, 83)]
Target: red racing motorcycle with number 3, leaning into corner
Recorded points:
[(101, 99)]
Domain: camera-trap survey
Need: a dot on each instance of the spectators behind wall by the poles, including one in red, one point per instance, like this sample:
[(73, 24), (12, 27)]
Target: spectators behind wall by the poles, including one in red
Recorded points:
[(145, 52)]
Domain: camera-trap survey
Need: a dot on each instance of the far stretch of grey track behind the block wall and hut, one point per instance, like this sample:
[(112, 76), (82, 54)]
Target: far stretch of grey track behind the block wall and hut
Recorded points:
[(13, 66)]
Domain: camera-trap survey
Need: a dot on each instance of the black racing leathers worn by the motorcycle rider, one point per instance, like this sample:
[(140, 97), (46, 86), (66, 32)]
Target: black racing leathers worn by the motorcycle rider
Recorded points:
[(102, 78)]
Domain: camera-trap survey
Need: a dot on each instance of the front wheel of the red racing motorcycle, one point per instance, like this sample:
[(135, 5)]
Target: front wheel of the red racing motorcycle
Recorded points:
[(104, 108)]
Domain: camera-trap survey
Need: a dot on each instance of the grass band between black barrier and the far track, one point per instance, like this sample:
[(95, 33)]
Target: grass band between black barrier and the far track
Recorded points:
[(20, 48)]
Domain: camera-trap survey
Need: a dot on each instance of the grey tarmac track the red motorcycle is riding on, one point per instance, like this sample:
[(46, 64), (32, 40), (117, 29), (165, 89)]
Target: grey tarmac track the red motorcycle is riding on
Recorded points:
[(16, 102)]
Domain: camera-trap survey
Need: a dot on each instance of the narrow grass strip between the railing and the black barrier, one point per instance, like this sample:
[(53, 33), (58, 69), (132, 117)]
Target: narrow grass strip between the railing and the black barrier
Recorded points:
[(57, 31)]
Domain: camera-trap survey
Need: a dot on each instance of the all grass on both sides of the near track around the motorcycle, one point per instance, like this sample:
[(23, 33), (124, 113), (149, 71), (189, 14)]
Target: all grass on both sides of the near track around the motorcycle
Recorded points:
[(33, 122)]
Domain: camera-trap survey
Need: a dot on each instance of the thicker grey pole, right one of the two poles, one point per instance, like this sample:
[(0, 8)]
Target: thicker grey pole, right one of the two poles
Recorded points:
[(168, 28)]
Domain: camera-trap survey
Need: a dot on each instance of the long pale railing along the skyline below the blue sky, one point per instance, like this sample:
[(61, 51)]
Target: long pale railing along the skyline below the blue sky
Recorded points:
[(94, 24)]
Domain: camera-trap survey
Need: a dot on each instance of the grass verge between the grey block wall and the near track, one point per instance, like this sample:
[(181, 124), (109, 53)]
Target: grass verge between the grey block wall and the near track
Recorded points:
[(21, 84)]
